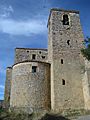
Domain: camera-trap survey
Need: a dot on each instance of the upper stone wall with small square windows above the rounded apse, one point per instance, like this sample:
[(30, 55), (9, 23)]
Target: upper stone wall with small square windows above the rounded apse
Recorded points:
[(23, 54)]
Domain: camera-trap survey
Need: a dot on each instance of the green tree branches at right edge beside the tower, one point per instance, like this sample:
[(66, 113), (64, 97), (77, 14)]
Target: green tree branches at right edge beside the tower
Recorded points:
[(86, 51)]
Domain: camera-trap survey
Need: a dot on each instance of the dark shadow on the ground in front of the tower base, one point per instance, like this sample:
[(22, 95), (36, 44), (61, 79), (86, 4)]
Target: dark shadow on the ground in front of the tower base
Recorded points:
[(53, 117)]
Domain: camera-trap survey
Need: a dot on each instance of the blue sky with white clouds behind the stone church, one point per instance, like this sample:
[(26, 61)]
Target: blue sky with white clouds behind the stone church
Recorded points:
[(23, 23)]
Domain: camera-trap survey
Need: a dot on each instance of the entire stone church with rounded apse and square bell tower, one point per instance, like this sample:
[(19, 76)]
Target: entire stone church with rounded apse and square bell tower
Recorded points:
[(57, 78)]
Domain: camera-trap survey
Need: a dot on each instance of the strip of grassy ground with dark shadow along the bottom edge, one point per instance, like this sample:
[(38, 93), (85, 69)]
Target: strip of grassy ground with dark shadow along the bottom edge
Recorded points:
[(6, 115)]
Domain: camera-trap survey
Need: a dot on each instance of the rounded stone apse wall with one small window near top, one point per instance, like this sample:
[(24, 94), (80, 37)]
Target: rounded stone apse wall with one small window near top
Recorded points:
[(30, 89)]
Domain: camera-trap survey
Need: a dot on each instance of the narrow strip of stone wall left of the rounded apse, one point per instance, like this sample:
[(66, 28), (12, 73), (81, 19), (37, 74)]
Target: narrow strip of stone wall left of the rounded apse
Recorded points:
[(8, 87)]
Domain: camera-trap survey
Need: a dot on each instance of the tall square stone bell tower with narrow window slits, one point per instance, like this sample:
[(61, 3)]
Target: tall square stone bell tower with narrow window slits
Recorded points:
[(65, 43)]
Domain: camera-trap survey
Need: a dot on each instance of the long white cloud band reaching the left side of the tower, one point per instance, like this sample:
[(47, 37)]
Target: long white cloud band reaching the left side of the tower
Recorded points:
[(27, 27)]
